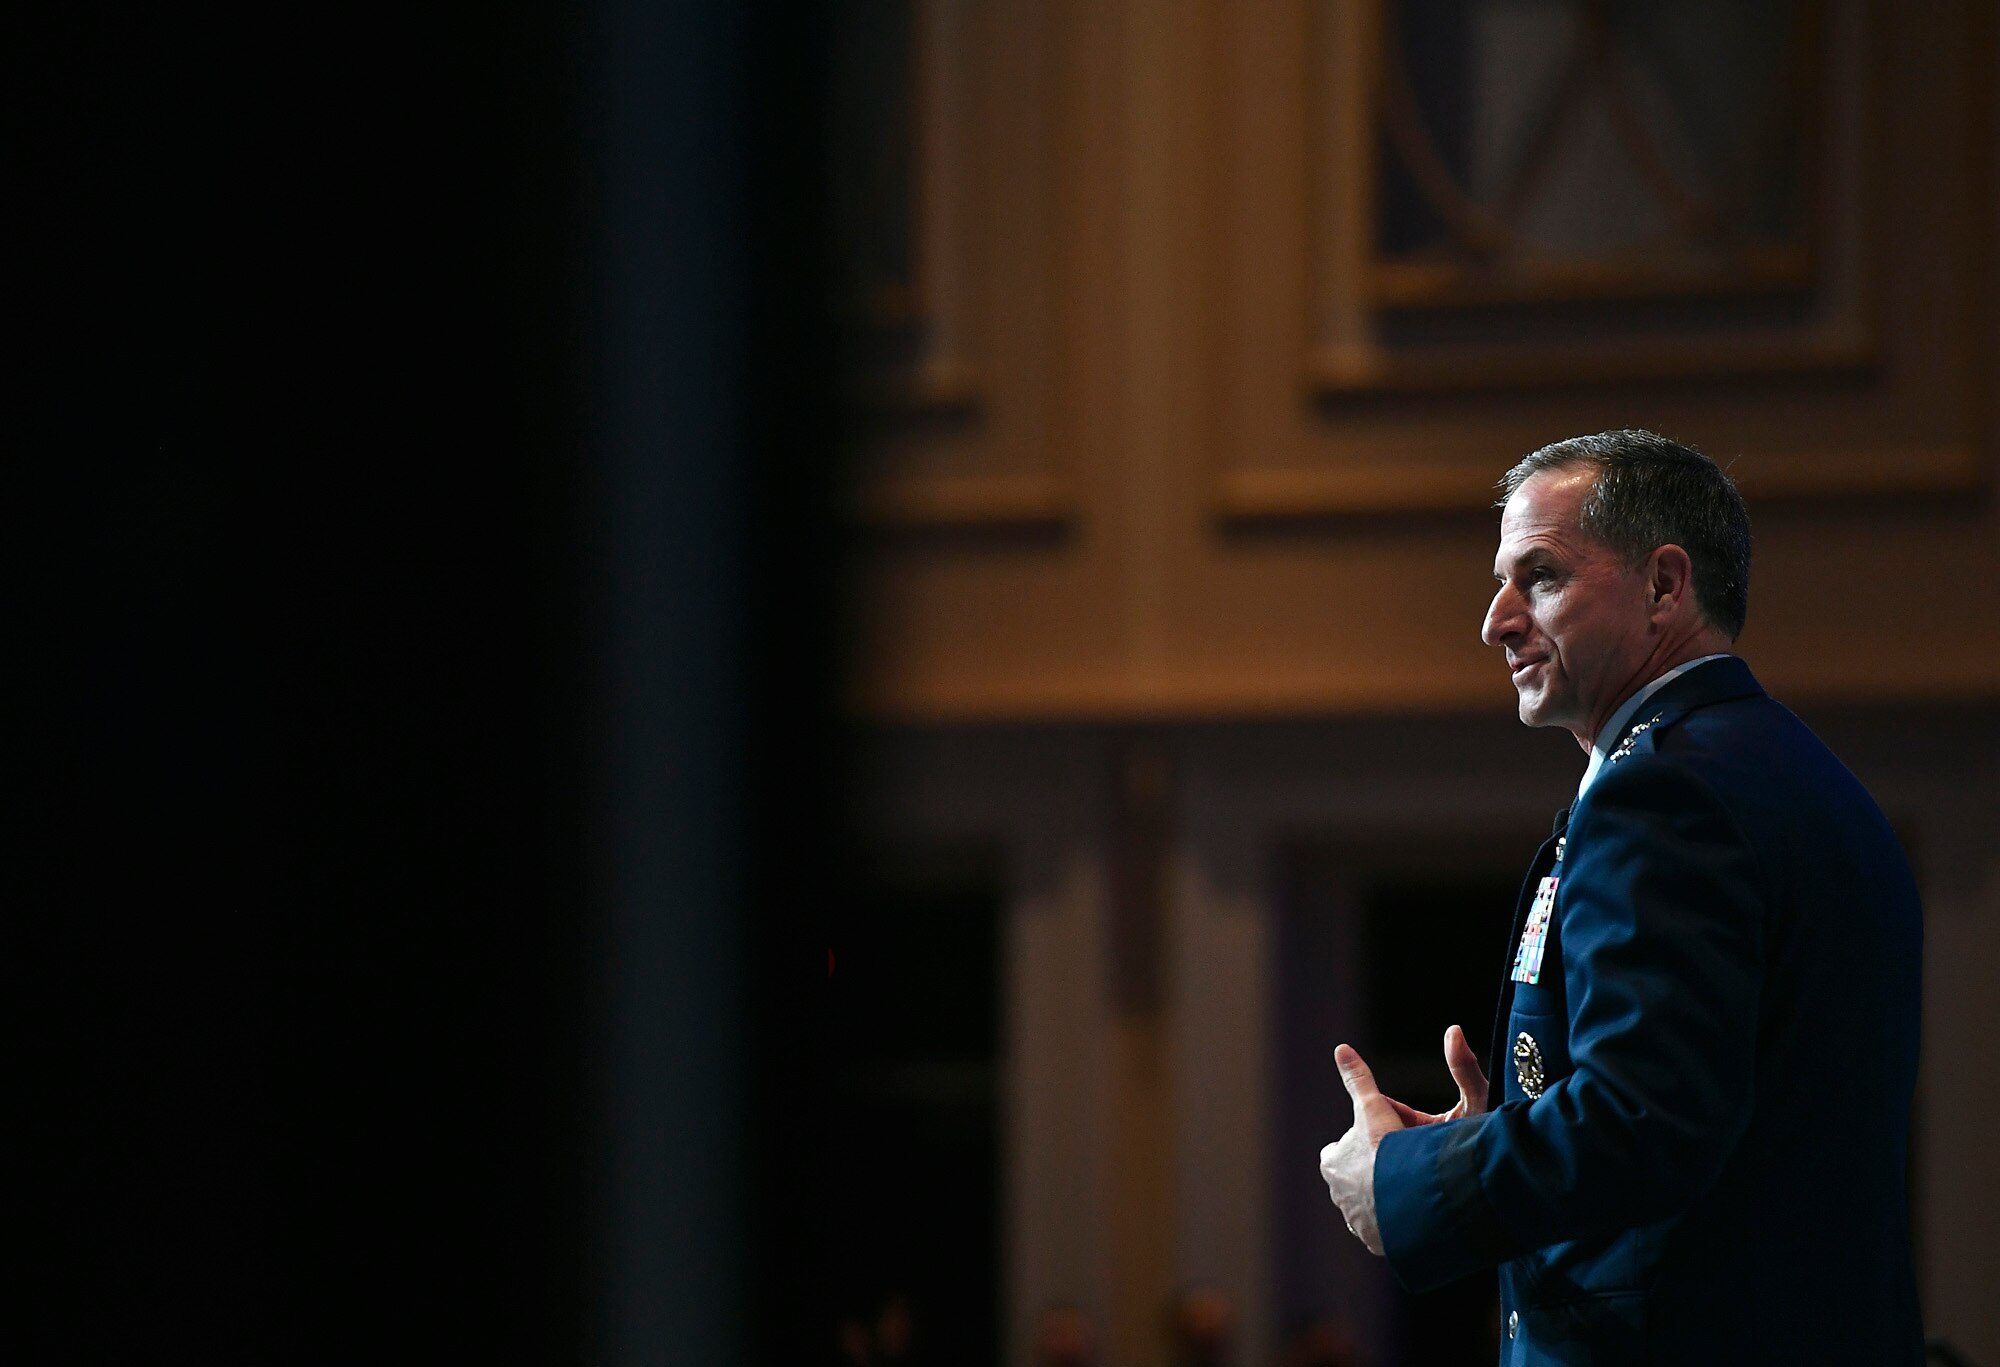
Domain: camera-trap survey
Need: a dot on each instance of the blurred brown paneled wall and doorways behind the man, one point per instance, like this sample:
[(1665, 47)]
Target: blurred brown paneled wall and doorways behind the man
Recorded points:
[(1187, 343)]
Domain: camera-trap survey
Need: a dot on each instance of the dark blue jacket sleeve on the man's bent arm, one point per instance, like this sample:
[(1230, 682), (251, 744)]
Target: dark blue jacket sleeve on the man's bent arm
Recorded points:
[(1663, 956)]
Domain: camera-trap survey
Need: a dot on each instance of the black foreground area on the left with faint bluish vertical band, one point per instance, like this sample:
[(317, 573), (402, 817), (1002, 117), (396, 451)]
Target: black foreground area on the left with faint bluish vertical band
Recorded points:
[(315, 605)]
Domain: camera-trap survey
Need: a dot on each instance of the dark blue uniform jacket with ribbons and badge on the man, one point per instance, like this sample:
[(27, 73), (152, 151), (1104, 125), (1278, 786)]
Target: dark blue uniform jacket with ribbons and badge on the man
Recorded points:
[(1727, 1026)]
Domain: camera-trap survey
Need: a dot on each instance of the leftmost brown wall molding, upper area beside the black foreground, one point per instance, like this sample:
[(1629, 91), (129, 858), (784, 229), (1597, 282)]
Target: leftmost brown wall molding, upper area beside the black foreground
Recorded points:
[(951, 379)]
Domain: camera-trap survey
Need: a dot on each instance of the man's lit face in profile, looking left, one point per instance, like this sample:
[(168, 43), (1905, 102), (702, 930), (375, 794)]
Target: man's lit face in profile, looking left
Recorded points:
[(1571, 615)]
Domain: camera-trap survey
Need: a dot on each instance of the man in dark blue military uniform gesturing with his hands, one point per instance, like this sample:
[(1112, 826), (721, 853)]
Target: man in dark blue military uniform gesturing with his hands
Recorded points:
[(1707, 1034)]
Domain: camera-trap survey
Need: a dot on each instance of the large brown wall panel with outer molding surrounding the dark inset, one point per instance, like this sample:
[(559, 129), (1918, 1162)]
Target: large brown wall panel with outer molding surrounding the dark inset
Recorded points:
[(1883, 397)]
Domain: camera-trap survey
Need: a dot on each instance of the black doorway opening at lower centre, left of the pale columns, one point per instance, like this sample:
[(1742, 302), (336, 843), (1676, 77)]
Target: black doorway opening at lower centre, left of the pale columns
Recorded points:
[(913, 1112)]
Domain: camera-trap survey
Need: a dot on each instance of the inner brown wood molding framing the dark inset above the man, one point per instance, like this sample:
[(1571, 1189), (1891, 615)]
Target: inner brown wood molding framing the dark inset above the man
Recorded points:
[(1377, 327)]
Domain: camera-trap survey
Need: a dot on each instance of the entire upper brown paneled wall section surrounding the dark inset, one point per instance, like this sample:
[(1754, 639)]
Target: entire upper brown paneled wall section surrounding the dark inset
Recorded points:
[(1235, 543)]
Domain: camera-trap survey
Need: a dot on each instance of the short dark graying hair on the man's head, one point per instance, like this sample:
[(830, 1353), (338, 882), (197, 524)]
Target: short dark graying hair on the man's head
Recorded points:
[(1651, 493)]
